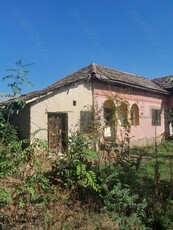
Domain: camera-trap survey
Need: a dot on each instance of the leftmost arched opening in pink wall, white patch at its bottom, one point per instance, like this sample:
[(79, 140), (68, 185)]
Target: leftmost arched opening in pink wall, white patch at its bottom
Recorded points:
[(109, 119)]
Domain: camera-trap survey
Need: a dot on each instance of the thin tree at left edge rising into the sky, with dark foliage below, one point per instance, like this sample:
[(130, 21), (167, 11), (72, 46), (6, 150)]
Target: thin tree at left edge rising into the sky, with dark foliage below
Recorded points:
[(16, 81)]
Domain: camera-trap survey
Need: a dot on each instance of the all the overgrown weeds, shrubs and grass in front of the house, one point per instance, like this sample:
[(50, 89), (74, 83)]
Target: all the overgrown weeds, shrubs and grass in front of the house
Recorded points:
[(77, 191)]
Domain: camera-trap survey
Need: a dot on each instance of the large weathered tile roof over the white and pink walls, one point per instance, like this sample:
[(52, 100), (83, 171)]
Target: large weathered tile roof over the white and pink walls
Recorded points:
[(101, 73)]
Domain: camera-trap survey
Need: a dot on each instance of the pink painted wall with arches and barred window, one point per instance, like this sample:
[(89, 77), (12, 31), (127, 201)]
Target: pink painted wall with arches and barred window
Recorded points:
[(146, 101)]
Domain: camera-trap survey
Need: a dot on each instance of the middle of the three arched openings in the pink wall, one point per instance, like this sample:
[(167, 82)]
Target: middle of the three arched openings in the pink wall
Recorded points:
[(123, 114)]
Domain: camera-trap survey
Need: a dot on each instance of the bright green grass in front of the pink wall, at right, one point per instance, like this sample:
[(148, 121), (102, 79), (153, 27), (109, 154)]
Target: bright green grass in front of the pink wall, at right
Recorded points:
[(164, 159)]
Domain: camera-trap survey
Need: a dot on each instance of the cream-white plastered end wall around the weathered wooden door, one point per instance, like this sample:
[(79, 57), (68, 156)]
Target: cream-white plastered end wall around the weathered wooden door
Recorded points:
[(61, 102)]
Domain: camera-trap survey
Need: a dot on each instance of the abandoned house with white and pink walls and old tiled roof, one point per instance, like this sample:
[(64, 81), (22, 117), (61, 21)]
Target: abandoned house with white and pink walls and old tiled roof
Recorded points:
[(62, 108)]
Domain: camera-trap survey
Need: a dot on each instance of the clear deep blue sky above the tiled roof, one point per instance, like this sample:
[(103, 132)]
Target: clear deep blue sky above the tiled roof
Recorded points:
[(62, 36)]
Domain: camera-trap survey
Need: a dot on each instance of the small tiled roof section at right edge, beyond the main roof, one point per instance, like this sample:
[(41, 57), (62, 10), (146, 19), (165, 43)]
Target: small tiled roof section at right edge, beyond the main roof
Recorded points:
[(164, 82)]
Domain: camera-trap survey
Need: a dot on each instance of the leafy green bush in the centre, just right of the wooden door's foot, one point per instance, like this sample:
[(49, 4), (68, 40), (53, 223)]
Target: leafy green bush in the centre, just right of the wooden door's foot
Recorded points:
[(75, 170)]
